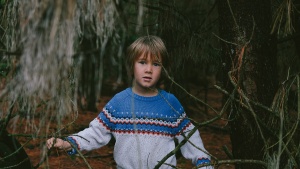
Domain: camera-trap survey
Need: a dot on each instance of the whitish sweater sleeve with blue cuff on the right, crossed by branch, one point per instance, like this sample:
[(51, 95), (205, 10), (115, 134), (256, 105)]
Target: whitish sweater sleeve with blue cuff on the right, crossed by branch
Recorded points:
[(194, 148)]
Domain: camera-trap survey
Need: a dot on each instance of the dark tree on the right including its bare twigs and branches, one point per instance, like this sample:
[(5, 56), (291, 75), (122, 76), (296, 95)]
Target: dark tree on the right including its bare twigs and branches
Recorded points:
[(249, 52)]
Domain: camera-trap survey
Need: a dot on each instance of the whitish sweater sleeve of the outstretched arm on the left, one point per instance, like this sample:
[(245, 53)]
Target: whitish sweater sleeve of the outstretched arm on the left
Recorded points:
[(93, 137)]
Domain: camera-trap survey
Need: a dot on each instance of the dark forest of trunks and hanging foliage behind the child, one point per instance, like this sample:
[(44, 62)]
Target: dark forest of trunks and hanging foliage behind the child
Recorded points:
[(69, 53)]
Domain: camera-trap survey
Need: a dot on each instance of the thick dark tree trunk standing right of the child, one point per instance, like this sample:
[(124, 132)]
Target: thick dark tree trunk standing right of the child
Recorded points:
[(248, 51)]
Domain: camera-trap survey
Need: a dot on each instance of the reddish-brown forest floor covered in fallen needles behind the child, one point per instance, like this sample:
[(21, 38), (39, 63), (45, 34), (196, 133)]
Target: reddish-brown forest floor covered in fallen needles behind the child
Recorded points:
[(215, 137)]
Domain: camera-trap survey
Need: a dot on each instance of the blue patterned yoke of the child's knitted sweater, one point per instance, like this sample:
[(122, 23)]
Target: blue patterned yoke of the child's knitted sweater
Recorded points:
[(159, 115)]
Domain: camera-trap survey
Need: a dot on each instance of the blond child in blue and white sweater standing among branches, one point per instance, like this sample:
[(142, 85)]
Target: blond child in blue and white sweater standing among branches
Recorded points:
[(143, 119)]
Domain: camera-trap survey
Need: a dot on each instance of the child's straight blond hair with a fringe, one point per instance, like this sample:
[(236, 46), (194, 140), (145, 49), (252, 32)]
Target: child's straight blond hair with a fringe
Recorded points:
[(146, 45)]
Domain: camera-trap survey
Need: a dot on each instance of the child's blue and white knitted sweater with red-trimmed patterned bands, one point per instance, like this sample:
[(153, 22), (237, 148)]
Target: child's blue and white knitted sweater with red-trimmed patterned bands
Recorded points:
[(144, 129)]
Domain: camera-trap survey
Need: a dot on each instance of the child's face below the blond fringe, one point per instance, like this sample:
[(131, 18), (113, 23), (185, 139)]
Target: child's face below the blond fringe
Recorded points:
[(147, 71)]
